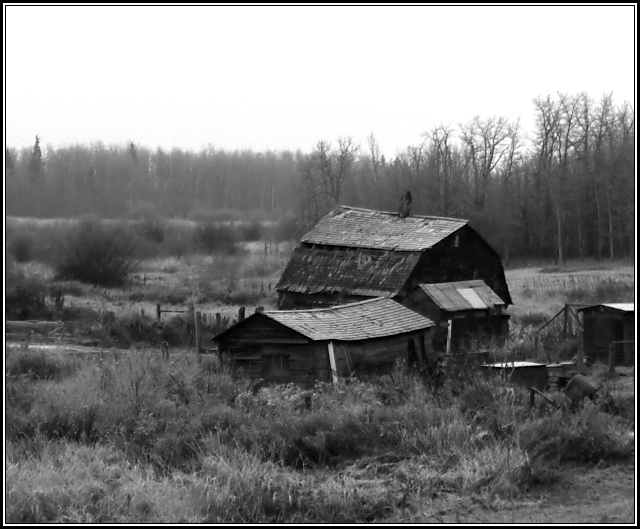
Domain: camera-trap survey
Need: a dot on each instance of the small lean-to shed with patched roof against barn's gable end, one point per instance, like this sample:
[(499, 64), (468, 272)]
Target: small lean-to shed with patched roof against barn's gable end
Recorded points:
[(462, 311)]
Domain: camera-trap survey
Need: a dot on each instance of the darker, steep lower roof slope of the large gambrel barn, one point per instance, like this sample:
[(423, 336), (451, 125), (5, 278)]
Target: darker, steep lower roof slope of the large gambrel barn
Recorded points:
[(313, 271)]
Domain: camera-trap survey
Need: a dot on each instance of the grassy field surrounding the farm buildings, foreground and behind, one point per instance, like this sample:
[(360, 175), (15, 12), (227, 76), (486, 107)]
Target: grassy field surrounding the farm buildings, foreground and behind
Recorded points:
[(121, 436)]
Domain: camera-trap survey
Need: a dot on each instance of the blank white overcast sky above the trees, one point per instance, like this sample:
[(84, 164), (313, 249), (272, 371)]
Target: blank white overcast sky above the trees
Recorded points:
[(285, 77)]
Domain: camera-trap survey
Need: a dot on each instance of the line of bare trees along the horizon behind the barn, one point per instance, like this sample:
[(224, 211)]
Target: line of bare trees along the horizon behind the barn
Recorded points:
[(567, 191)]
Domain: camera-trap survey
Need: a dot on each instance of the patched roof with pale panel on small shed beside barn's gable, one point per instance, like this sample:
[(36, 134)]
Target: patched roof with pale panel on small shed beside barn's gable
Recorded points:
[(462, 295)]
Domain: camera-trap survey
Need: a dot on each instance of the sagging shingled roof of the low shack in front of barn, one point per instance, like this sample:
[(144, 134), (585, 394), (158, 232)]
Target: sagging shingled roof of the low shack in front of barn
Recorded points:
[(373, 318)]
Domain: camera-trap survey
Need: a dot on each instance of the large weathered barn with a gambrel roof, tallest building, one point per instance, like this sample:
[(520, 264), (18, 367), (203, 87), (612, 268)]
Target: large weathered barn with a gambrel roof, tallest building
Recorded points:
[(354, 253)]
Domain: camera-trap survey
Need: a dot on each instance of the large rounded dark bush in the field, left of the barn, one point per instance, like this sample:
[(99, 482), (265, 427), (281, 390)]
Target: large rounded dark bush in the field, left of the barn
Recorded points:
[(97, 254)]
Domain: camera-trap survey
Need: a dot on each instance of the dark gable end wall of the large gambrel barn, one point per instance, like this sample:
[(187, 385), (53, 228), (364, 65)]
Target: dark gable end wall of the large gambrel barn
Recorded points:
[(470, 259)]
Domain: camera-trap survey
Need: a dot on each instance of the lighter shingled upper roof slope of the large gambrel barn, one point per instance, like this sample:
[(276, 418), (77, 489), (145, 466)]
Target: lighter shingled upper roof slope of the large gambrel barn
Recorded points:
[(365, 228)]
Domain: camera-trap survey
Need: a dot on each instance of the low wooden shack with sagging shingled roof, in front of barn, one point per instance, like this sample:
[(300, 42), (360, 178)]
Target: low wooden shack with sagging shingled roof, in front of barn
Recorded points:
[(324, 344)]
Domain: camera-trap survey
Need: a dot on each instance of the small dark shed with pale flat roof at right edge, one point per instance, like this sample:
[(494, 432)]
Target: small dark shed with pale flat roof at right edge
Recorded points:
[(609, 325)]
